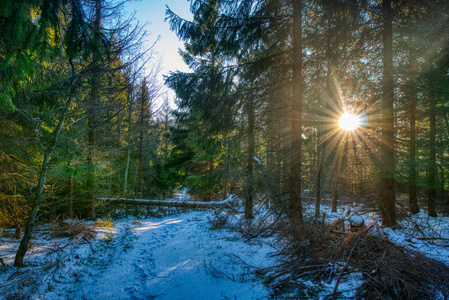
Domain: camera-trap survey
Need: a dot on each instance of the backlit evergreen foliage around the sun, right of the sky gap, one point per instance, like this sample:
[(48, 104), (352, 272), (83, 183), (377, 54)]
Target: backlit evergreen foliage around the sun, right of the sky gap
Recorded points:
[(243, 52)]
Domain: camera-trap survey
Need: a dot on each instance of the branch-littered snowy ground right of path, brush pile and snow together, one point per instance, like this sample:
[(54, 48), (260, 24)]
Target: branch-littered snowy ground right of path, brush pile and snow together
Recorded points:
[(318, 260)]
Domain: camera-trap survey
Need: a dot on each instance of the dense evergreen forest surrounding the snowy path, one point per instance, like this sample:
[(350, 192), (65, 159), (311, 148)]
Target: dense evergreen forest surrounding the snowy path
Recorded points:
[(301, 109)]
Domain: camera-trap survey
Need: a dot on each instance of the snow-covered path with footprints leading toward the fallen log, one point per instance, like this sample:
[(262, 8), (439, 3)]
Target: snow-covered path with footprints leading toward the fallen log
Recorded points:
[(177, 257)]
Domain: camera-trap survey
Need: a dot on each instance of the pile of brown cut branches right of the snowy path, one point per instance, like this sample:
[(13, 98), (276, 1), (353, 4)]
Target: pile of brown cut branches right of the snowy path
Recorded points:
[(315, 252)]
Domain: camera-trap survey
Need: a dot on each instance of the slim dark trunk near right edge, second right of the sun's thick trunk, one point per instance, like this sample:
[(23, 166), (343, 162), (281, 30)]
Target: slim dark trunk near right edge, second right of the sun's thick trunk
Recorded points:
[(432, 168)]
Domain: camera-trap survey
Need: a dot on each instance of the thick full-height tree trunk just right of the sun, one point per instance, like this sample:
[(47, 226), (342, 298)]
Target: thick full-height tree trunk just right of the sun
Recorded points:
[(387, 201)]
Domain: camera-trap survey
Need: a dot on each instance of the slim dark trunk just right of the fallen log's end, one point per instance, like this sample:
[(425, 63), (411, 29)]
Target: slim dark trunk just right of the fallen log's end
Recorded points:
[(251, 153)]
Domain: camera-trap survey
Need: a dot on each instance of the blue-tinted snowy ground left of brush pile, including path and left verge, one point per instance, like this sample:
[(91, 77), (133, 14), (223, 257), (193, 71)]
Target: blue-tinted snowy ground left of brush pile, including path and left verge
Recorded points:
[(177, 257)]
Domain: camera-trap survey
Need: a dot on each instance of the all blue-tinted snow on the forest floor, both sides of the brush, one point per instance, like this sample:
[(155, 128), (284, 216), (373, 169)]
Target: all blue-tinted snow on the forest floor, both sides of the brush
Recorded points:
[(180, 257)]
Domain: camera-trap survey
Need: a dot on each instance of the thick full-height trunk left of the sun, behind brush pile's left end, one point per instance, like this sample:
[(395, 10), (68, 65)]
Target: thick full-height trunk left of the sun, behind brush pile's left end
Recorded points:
[(295, 207)]
